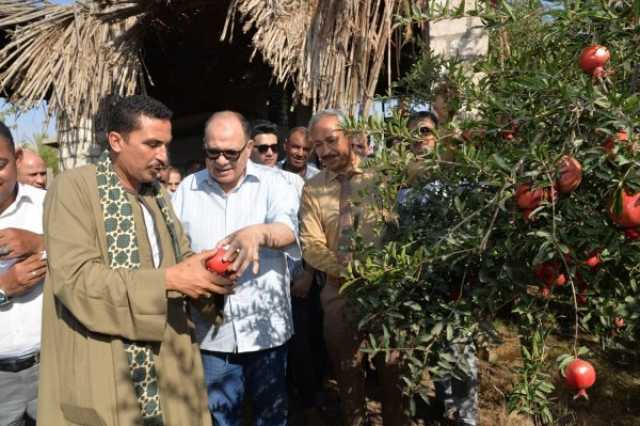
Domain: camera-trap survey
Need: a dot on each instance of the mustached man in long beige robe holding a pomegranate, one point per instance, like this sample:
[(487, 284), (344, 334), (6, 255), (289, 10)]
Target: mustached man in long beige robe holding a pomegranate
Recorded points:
[(92, 311)]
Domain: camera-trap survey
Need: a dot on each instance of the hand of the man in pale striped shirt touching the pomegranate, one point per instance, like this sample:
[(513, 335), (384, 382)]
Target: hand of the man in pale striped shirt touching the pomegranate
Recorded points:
[(245, 243)]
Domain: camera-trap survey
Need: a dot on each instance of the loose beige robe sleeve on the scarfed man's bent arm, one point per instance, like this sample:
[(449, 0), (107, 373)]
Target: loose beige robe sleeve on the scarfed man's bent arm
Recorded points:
[(116, 302)]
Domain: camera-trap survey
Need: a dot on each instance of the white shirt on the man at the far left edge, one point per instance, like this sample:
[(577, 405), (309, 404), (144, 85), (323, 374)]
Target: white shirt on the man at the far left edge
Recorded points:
[(21, 320)]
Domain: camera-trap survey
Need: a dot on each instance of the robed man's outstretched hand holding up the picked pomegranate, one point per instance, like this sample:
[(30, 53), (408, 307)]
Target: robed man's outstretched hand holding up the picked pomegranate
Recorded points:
[(191, 278)]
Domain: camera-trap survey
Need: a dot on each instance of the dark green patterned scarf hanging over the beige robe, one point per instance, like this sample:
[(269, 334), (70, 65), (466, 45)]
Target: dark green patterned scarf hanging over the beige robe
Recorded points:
[(122, 248)]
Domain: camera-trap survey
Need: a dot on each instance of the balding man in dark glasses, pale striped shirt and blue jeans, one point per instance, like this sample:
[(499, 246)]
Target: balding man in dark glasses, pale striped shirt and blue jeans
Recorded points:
[(253, 212)]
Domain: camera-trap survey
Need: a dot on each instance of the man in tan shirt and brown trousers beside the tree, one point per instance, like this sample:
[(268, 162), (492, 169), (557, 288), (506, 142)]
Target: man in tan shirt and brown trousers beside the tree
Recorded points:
[(332, 208)]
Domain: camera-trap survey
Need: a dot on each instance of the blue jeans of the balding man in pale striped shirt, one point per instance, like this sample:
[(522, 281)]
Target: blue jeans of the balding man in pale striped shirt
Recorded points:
[(261, 374)]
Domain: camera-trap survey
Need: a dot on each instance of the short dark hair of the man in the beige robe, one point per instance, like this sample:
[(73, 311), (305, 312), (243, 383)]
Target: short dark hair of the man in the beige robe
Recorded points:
[(121, 114)]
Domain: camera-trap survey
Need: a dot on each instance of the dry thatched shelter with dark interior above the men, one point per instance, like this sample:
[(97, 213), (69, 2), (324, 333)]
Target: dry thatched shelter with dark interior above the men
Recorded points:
[(194, 55)]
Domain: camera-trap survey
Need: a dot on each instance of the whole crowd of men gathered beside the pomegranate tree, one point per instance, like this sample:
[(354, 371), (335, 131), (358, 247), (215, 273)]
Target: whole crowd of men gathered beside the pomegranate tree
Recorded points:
[(110, 315)]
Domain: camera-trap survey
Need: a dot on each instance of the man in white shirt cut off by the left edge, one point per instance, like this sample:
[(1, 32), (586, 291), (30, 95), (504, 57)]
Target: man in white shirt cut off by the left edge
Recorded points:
[(22, 269)]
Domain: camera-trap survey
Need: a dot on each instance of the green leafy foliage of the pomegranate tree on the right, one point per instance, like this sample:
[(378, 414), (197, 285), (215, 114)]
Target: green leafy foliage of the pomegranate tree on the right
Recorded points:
[(459, 254)]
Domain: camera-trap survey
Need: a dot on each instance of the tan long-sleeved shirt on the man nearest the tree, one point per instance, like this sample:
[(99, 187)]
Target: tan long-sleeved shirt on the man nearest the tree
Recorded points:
[(320, 218)]
